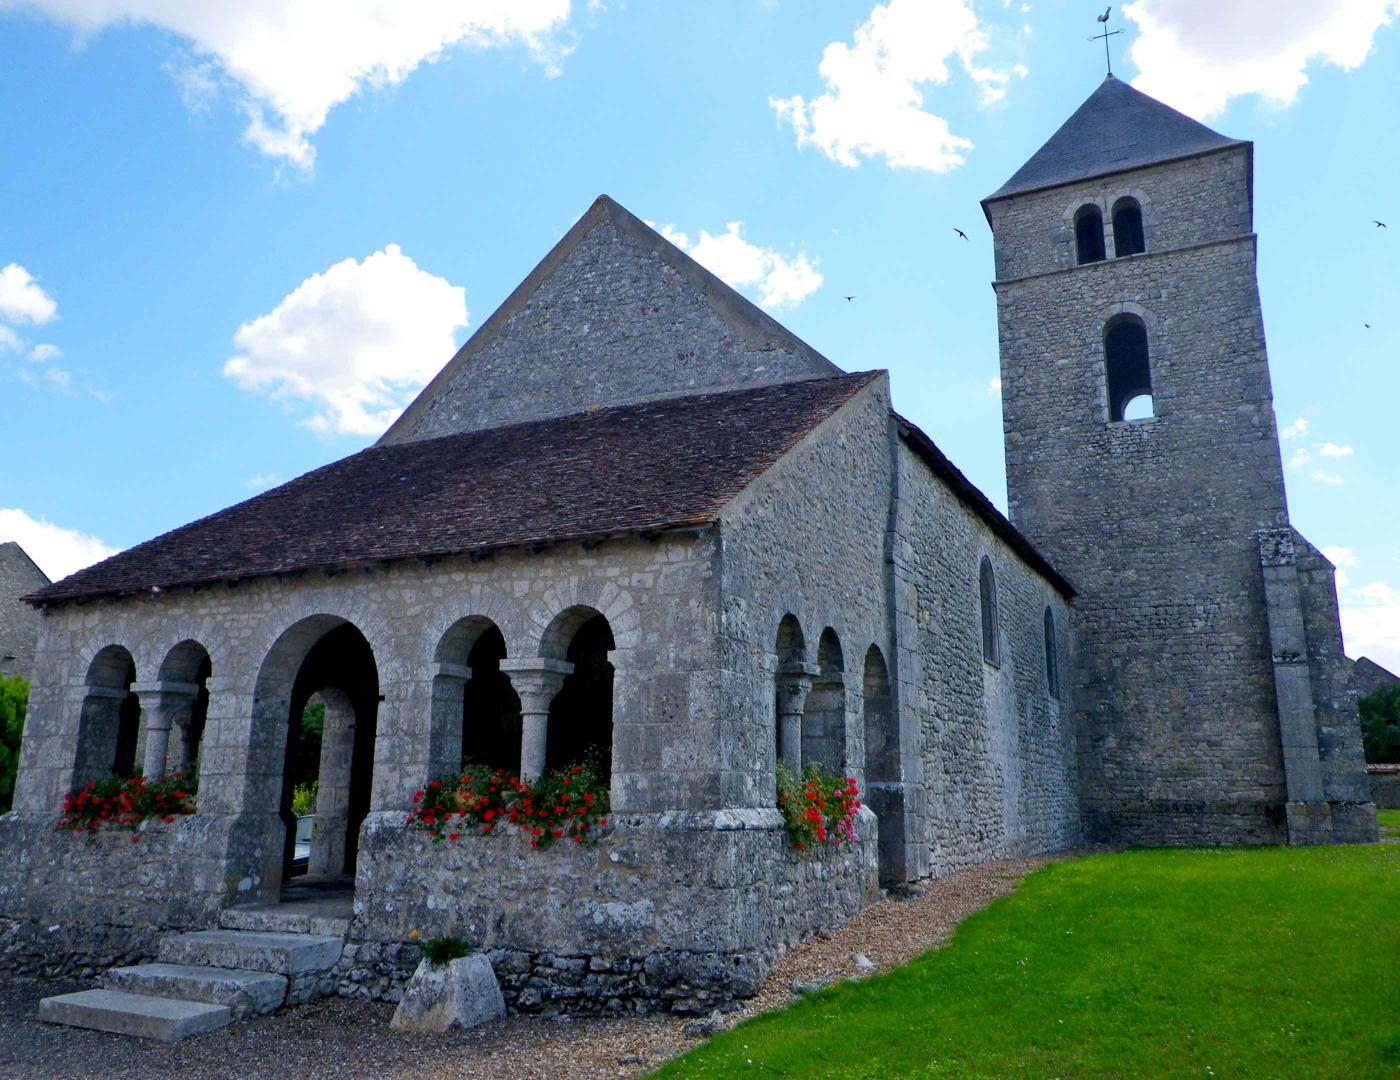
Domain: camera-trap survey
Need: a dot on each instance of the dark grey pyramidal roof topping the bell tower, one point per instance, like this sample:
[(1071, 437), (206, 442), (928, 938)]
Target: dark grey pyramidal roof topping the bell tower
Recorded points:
[(1116, 130)]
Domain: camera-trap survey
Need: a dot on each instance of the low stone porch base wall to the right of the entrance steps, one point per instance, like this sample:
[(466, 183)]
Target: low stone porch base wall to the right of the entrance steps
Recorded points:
[(667, 911)]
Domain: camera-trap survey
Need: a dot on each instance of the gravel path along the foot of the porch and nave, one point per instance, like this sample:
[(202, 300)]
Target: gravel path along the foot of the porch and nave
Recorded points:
[(341, 1039)]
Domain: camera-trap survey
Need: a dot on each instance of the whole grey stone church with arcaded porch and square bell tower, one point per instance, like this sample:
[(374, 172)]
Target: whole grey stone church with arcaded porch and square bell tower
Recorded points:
[(638, 515)]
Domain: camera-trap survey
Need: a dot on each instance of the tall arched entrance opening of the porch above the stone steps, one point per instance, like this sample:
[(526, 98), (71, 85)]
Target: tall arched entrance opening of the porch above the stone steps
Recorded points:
[(327, 750)]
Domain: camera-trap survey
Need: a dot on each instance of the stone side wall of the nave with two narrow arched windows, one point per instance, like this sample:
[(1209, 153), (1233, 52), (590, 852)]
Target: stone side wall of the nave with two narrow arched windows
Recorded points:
[(997, 747)]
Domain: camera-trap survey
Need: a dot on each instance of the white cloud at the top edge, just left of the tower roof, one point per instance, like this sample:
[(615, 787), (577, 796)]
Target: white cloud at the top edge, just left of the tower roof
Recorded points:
[(874, 100)]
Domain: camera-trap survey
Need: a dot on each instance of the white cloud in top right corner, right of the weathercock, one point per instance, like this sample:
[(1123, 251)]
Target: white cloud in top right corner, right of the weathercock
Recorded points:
[(1196, 55)]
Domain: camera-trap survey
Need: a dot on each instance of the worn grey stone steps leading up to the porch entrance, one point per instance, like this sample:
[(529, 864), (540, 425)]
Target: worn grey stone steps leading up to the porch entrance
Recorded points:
[(261, 959)]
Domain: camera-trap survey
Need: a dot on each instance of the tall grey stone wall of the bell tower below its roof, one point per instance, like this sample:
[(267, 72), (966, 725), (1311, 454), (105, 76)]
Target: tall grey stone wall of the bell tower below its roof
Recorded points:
[(1154, 522)]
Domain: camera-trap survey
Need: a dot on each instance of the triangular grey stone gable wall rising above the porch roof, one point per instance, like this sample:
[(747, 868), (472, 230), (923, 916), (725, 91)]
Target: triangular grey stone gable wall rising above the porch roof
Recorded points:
[(618, 317)]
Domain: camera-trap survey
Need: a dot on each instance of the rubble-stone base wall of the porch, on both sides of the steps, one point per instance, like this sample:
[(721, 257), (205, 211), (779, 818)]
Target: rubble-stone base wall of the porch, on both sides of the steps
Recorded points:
[(666, 911)]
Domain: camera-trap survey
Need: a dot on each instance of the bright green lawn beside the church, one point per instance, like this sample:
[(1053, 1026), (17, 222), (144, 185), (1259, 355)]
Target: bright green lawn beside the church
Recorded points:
[(1235, 963)]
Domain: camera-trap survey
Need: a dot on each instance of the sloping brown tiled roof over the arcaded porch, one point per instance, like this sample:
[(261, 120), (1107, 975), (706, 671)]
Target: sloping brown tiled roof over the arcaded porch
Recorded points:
[(633, 469)]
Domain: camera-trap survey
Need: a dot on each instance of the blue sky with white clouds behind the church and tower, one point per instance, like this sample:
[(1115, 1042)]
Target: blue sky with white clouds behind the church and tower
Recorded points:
[(236, 242)]
